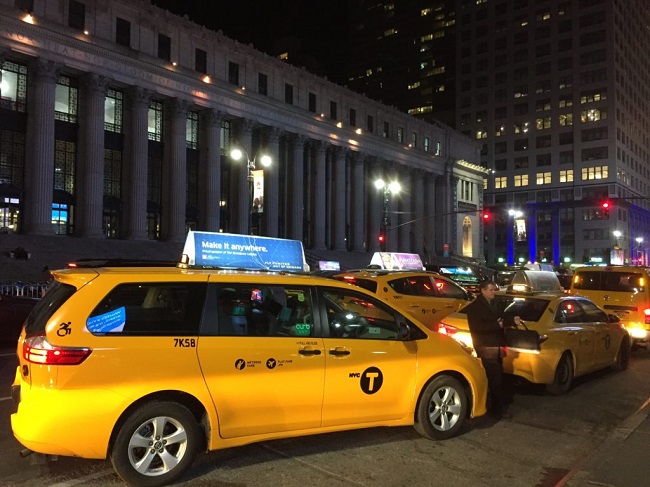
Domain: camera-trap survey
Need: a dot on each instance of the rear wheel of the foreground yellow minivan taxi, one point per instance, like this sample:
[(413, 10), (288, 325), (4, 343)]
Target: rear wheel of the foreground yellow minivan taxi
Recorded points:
[(143, 460)]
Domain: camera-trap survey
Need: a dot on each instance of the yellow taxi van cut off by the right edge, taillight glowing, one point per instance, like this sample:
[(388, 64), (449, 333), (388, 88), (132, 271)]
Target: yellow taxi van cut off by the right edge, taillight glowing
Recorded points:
[(620, 290)]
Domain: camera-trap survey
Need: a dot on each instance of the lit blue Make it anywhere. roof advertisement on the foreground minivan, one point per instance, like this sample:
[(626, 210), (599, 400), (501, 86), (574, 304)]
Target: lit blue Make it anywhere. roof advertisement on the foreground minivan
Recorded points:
[(226, 250)]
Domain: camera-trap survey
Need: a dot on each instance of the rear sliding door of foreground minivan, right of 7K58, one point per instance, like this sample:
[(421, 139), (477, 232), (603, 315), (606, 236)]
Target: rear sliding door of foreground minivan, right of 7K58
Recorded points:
[(261, 362)]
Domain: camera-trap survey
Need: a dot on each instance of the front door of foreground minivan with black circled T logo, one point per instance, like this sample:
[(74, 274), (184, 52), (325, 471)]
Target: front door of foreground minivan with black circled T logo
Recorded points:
[(370, 374)]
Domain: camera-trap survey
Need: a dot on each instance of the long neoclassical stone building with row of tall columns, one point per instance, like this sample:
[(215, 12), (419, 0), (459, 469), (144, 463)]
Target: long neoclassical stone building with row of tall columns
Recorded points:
[(117, 121)]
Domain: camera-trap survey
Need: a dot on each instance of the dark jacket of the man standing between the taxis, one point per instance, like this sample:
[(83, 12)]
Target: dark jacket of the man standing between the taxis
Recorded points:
[(487, 336)]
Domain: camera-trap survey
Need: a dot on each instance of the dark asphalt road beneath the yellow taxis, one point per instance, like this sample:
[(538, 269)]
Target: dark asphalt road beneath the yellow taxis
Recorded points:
[(546, 438)]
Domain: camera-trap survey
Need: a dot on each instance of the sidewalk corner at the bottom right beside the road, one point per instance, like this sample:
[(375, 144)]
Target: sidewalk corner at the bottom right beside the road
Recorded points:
[(621, 460)]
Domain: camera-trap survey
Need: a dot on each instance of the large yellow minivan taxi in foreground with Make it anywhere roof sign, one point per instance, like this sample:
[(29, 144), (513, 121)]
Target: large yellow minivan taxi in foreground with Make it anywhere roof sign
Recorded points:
[(148, 366)]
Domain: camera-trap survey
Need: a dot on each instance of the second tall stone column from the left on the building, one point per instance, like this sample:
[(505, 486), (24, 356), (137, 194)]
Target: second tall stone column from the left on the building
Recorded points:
[(90, 199)]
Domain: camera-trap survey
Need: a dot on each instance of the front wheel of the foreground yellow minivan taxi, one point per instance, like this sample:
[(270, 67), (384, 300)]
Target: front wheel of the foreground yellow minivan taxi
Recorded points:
[(442, 409)]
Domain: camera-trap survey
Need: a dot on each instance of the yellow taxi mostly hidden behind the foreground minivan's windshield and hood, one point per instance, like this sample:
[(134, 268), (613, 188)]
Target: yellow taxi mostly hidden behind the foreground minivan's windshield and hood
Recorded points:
[(427, 296)]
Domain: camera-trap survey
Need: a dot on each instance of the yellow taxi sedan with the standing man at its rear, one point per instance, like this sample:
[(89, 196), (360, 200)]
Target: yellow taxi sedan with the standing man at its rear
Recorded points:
[(577, 338)]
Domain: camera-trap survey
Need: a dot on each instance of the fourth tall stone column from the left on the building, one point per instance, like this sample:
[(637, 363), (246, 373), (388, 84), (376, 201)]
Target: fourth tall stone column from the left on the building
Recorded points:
[(175, 201)]
